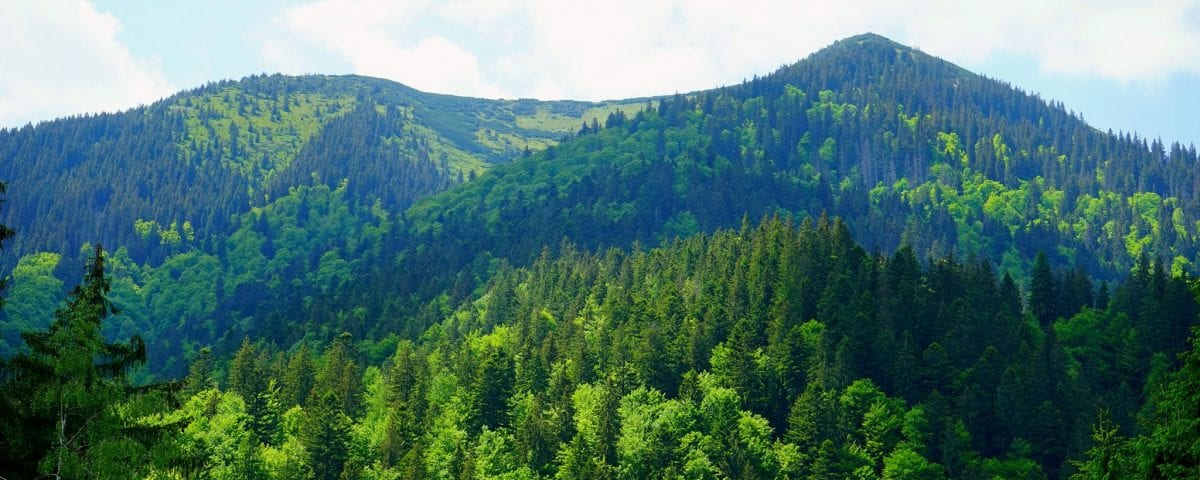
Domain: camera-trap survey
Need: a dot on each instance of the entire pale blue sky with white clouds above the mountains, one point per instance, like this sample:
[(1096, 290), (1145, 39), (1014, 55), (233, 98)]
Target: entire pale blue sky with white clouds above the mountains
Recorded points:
[(1131, 67)]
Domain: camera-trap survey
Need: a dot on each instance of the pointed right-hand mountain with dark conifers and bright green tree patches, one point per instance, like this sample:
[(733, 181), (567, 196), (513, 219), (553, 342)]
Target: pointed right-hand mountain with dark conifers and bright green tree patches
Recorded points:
[(907, 148)]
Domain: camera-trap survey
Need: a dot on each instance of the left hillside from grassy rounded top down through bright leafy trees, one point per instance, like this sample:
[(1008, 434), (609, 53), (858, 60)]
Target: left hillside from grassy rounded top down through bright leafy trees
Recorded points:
[(238, 167)]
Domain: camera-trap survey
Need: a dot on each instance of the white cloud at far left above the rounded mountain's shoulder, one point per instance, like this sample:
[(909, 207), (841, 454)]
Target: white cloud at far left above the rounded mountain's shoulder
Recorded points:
[(62, 58)]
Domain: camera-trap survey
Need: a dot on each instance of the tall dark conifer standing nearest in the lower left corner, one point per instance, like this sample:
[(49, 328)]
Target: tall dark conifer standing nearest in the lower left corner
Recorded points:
[(69, 388)]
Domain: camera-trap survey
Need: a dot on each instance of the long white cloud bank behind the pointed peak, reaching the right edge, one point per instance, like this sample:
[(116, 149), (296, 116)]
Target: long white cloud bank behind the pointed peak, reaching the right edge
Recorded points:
[(621, 49)]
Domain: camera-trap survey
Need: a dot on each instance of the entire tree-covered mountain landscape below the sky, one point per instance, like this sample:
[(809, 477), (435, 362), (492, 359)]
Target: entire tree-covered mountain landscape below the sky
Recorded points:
[(871, 265)]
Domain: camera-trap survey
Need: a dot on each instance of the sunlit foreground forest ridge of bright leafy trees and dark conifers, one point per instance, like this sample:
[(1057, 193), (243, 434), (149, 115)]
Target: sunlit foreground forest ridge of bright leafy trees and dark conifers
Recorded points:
[(766, 352)]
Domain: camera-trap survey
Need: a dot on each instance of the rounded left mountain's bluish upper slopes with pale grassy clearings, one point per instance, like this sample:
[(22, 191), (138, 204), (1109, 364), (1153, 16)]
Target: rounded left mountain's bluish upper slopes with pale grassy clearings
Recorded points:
[(135, 178)]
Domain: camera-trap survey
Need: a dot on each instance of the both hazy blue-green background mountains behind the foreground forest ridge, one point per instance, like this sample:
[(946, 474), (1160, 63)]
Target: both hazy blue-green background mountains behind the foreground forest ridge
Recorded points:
[(907, 148)]
